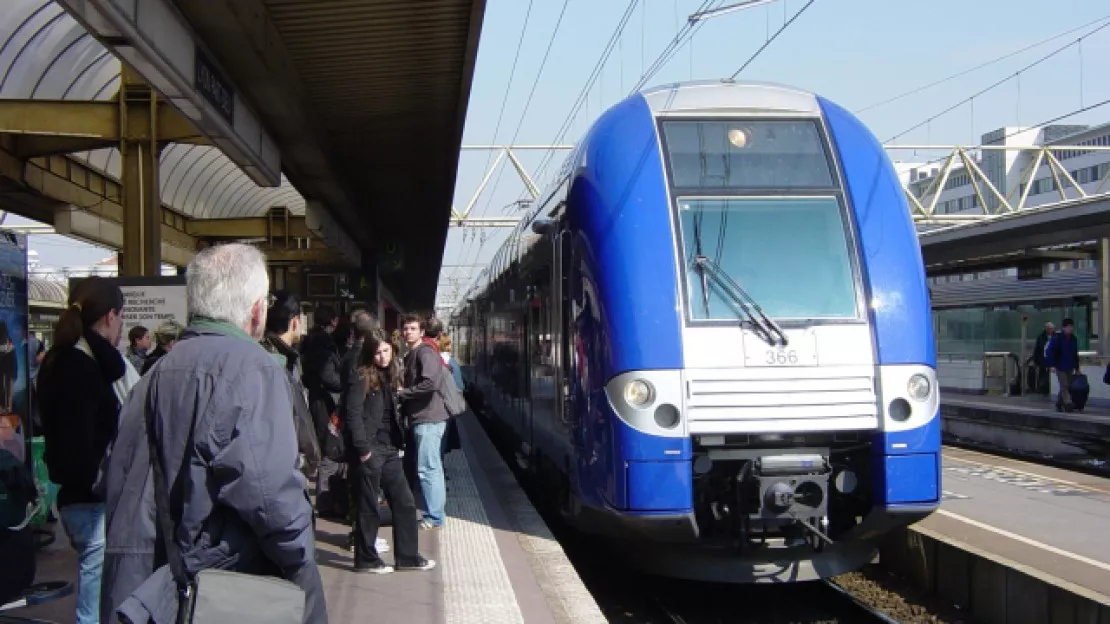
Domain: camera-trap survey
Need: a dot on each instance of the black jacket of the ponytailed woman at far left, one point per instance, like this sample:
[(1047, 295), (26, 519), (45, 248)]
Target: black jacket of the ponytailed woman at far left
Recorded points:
[(80, 415)]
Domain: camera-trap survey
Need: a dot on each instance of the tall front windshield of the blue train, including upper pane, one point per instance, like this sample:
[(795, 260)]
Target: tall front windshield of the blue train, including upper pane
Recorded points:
[(760, 202)]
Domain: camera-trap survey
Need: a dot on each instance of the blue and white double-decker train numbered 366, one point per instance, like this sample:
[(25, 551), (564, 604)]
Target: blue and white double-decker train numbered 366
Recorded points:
[(712, 337)]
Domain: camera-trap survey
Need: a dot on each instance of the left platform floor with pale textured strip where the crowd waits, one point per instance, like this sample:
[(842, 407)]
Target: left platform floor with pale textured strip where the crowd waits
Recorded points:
[(497, 561)]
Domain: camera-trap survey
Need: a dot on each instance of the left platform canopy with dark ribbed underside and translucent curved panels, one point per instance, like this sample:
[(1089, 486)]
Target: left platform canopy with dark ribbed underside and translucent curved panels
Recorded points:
[(365, 103)]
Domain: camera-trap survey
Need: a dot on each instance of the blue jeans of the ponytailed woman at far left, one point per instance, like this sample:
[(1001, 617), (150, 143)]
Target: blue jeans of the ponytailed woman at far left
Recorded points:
[(85, 525)]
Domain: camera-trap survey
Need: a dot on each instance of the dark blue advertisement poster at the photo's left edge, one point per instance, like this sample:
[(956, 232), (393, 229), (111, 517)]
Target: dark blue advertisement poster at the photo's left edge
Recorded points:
[(15, 404)]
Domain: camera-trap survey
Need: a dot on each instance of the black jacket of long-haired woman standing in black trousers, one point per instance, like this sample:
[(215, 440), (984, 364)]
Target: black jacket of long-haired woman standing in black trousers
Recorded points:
[(367, 422)]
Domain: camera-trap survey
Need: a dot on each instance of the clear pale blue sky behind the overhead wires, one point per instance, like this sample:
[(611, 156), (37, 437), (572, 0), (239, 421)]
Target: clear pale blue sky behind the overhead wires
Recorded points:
[(856, 53)]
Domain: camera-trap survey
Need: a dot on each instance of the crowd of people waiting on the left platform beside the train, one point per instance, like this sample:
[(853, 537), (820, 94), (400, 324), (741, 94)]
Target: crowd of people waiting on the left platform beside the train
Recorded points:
[(228, 421)]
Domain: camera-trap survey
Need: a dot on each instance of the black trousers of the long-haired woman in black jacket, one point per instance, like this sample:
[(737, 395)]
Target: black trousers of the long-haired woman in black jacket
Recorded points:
[(384, 474)]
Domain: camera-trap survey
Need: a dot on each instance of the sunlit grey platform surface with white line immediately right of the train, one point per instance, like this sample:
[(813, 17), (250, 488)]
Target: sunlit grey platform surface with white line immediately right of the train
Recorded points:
[(1046, 519)]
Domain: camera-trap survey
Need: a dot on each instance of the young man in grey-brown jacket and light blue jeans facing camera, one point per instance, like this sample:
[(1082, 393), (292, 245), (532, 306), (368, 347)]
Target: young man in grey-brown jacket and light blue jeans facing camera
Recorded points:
[(428, 418)]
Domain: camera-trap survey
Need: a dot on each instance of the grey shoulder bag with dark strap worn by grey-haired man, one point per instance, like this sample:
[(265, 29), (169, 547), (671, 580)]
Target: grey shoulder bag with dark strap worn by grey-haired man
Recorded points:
[(218, 596)]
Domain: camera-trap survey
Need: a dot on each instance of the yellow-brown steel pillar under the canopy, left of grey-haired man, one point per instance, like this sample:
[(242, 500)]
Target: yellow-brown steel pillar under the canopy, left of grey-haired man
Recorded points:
[(143, 204)]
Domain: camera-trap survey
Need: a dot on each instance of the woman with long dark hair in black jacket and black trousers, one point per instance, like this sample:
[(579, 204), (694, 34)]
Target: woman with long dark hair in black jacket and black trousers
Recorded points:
[(377, 440)]
